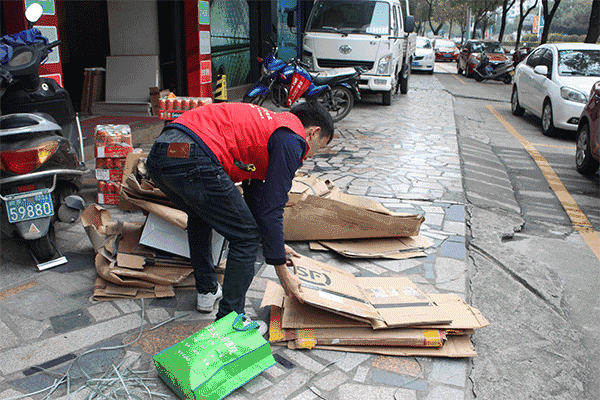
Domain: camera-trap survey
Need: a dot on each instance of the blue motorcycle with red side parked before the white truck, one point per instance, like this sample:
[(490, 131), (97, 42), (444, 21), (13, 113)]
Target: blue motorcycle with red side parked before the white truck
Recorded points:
[(286, 82)]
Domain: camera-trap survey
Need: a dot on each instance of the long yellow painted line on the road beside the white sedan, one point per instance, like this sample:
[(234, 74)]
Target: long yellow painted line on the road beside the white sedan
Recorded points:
[(581, 224)]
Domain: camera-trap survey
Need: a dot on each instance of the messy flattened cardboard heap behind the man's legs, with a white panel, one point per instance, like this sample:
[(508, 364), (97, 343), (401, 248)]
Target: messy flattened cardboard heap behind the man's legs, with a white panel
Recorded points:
[(135, 260)]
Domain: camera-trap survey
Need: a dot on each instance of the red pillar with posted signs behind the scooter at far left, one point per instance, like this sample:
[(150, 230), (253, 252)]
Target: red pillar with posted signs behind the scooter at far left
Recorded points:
[(14, 19)]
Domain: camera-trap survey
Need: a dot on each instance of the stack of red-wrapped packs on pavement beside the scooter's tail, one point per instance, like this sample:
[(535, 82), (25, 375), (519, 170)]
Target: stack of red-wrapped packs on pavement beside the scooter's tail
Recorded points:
[(113, 143)]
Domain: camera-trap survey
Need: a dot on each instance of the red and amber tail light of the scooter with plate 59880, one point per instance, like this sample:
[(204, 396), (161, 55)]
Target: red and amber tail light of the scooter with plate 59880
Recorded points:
[(22, 161)]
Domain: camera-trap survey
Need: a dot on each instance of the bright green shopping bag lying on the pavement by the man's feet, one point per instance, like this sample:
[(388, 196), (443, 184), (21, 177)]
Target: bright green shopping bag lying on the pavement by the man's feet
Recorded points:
[(216, 360)]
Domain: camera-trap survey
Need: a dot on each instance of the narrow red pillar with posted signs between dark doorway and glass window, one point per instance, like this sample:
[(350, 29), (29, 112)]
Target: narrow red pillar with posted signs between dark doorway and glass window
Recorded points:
[(197, 46)]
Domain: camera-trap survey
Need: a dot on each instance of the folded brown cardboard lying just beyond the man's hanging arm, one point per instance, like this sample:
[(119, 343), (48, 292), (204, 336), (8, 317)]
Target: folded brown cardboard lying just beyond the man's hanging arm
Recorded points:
[(353, 226)]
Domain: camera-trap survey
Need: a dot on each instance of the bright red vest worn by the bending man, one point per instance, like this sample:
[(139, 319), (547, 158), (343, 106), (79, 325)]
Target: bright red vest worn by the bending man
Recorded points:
[(239, 132)]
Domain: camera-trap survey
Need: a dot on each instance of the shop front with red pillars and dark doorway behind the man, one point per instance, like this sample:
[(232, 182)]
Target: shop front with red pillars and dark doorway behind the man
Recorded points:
[(188, 40)]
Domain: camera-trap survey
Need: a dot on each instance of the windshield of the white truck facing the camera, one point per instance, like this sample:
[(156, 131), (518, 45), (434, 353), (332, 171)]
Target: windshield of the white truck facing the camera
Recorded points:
[(347, 16)]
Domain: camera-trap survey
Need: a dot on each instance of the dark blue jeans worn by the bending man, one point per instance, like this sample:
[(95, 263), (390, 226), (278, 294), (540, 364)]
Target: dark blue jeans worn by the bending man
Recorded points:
[(199, 186)]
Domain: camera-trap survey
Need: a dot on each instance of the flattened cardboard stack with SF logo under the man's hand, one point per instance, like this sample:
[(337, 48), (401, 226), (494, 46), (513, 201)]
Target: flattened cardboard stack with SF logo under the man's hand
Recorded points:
[(382, 315)]
